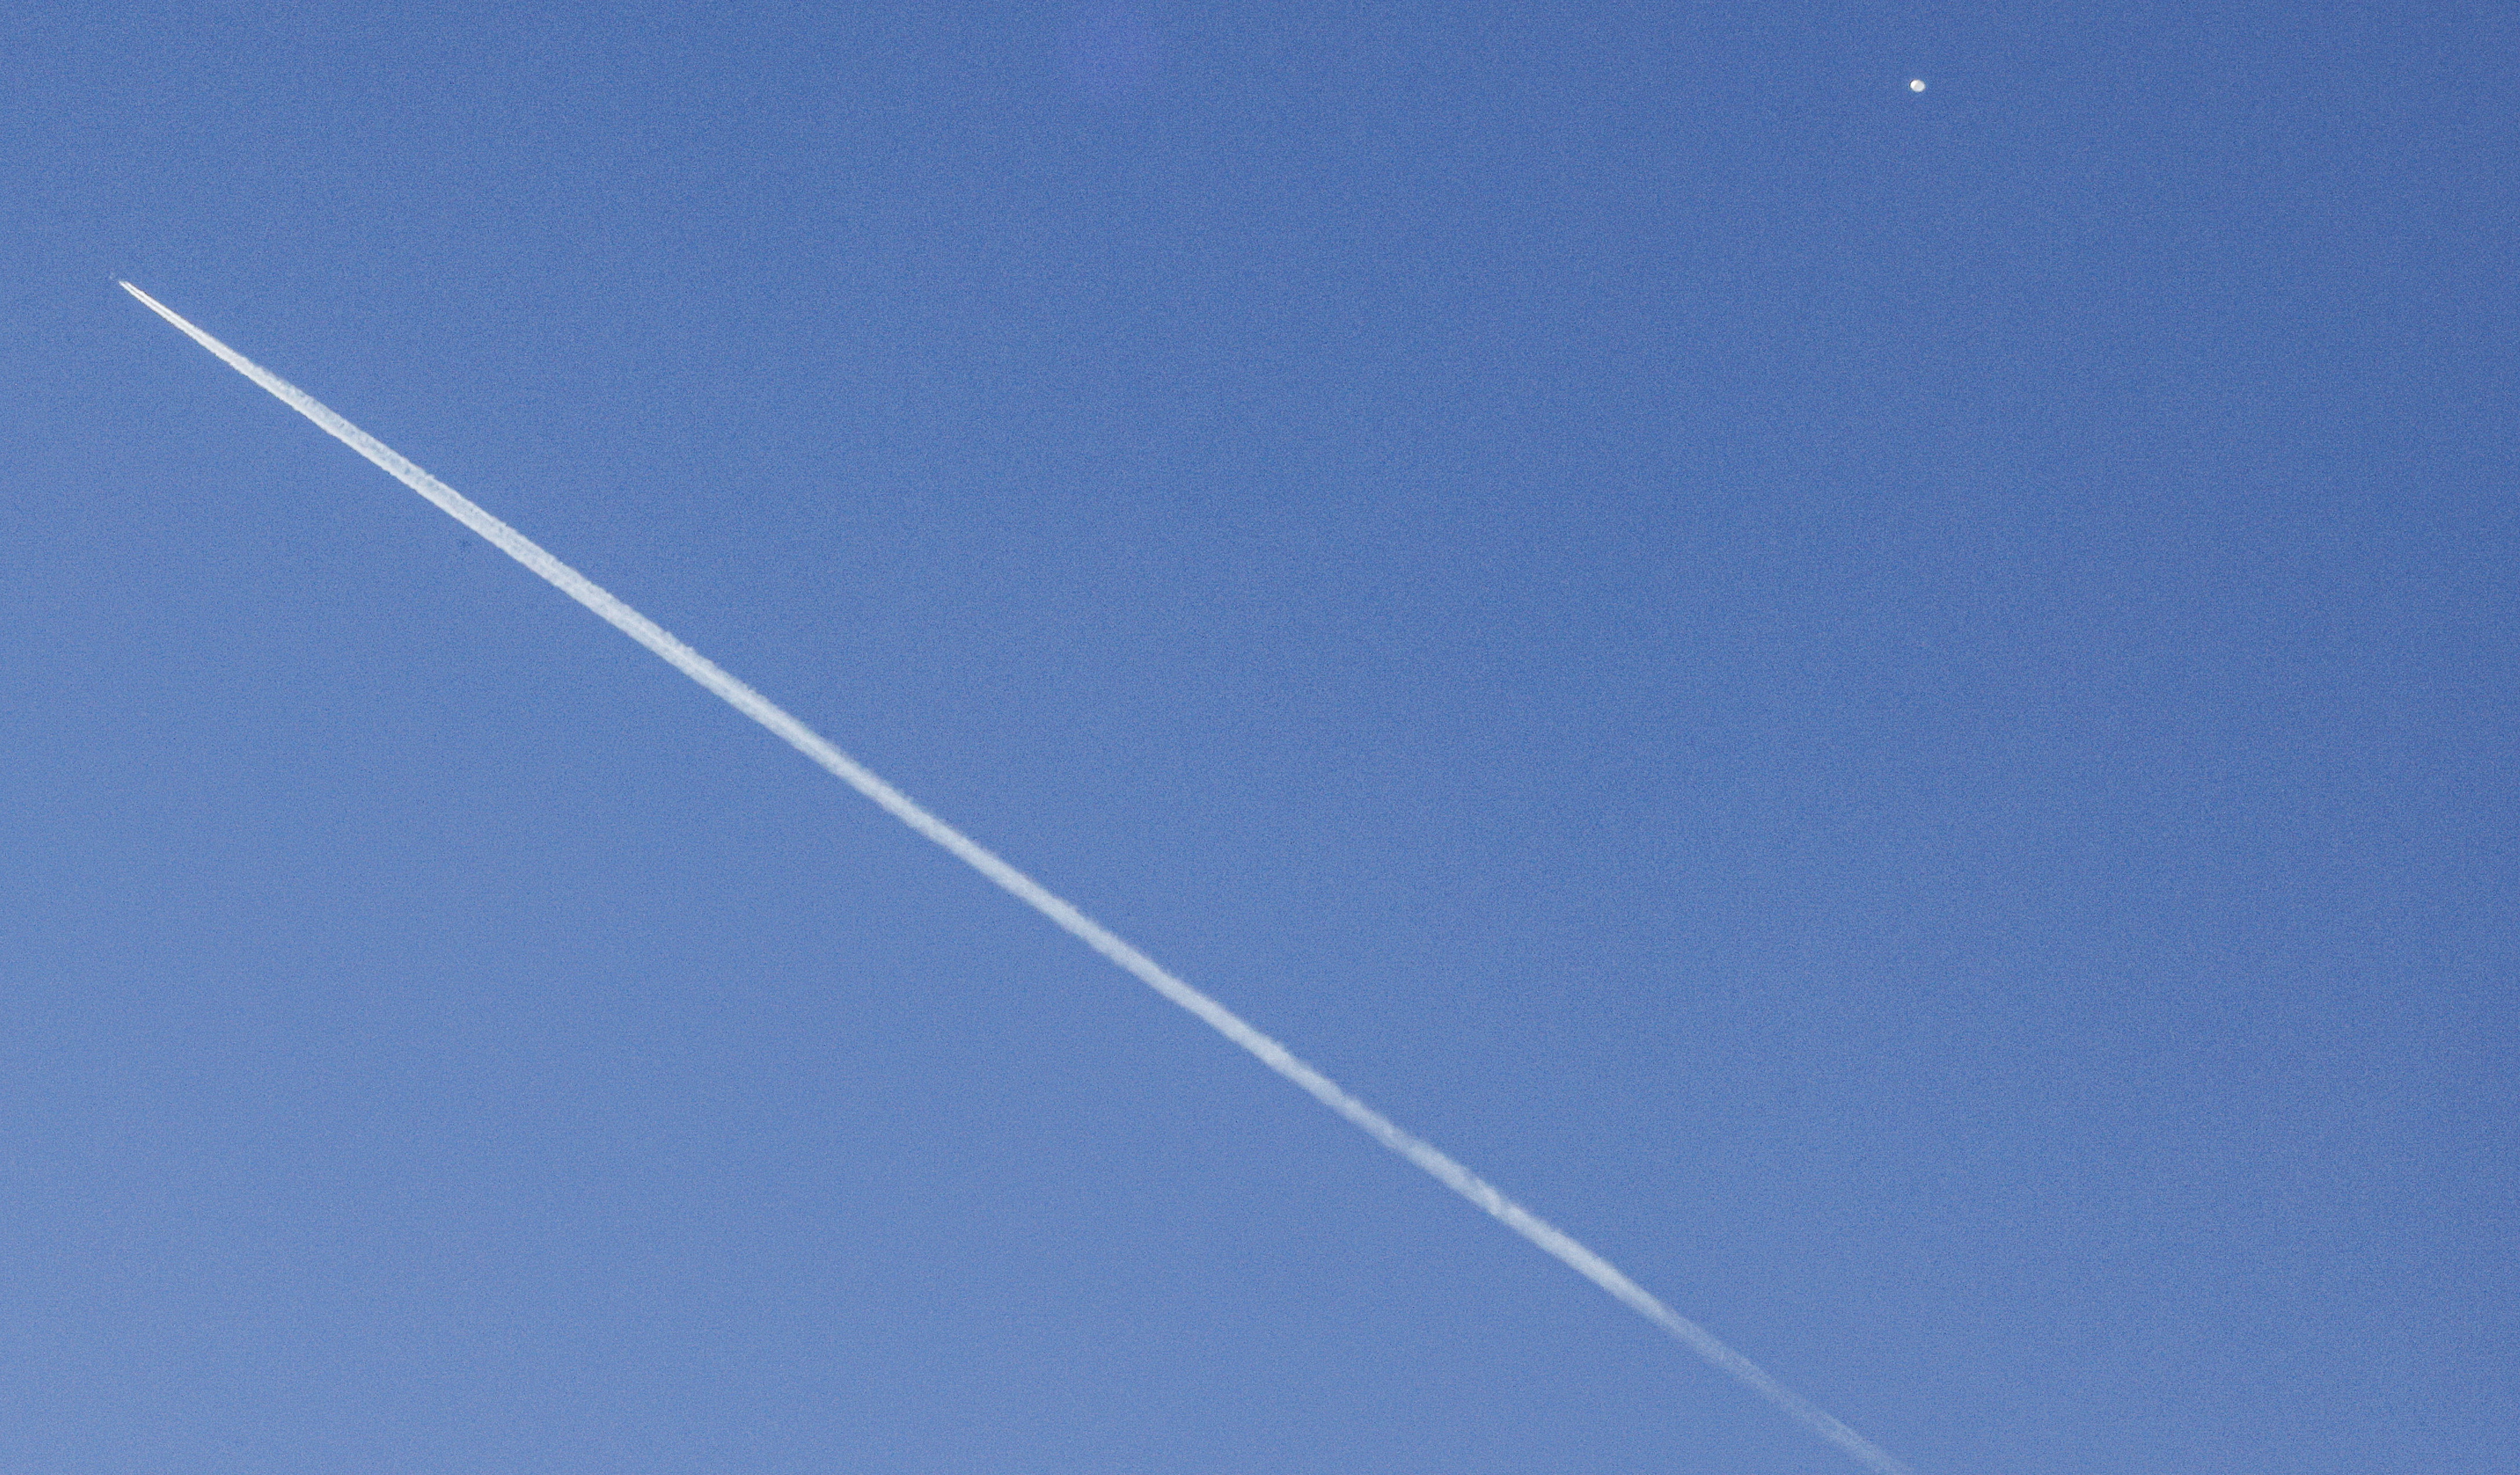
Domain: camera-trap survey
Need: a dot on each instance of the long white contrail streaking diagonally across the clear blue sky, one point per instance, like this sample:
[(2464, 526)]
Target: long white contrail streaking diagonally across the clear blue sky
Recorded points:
[(1042, 901)]
